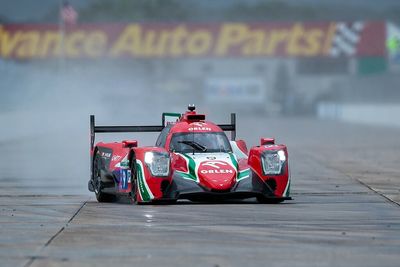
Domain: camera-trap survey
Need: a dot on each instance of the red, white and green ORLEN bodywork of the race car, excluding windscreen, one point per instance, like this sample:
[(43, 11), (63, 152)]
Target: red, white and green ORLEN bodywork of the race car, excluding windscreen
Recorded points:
[(212, 172)]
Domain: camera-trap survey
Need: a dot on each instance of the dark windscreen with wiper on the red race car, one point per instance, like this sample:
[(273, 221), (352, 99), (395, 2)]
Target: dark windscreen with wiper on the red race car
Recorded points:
[(200, 142)]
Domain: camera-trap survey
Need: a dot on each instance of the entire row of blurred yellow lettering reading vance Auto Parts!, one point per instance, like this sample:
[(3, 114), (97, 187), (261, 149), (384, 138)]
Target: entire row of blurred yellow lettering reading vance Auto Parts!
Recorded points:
[(136, 40)]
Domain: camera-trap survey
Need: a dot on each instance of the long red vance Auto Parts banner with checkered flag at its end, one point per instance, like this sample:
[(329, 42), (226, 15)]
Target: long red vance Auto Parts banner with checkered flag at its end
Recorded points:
[(21, 41)]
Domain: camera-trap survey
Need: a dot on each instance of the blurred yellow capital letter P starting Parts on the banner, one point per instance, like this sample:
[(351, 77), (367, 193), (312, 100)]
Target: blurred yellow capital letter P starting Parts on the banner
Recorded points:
[(231, 34)]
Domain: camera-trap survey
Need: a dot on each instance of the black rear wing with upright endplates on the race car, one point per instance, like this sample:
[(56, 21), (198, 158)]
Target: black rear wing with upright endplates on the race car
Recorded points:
[(150, 128)]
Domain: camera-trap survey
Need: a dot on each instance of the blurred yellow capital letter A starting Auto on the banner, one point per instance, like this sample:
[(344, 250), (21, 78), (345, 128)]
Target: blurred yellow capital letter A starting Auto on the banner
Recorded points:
[(128, 42)]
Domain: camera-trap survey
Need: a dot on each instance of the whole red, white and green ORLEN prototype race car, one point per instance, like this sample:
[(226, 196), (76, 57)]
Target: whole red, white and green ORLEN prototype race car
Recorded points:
[(192, 159)]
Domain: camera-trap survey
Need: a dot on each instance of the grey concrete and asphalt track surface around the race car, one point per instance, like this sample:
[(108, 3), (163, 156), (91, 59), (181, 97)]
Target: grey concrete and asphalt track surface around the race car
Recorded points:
[(345, 212)]
